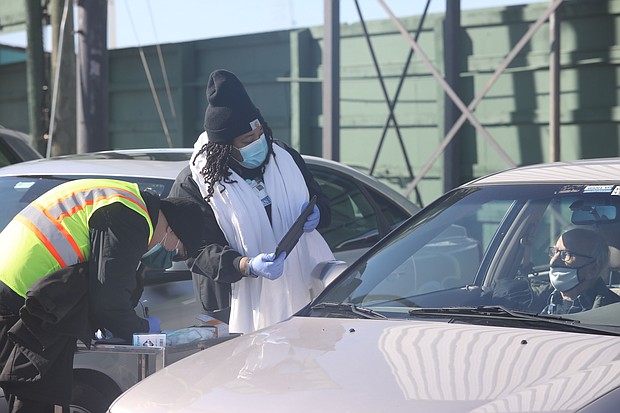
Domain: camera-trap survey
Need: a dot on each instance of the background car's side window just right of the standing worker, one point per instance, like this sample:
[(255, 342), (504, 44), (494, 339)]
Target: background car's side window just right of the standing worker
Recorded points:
[(354, 222)]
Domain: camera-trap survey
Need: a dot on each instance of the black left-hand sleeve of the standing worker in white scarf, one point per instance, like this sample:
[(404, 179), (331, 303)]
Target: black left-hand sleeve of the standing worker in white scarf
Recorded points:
[(217, 260)]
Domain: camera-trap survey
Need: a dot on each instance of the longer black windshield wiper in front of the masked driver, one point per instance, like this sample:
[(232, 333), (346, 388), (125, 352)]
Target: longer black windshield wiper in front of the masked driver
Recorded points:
[(503, 313)]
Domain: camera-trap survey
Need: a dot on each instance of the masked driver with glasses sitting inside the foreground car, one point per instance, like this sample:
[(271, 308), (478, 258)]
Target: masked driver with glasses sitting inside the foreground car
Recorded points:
[(578, 262)]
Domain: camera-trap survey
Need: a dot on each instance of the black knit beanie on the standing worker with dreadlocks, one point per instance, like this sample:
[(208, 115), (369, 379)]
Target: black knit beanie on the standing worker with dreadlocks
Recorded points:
[(230, 109)]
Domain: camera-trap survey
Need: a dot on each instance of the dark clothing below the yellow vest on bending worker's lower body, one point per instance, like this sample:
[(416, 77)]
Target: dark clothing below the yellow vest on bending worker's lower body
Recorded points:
[(38, 347)]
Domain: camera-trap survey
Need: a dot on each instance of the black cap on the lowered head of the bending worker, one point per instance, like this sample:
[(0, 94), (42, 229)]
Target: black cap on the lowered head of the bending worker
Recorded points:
[(186, 219)]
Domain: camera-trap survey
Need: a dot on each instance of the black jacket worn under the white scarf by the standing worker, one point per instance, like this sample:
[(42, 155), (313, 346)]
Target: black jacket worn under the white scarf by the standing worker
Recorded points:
[(217, 266)]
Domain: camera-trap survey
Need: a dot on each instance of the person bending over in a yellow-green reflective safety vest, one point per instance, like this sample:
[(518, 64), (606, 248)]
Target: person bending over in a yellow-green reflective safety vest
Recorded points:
[(68, 266)]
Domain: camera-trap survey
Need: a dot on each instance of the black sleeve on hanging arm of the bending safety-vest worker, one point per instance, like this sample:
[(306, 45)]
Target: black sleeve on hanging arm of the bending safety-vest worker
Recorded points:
[(119, 238)]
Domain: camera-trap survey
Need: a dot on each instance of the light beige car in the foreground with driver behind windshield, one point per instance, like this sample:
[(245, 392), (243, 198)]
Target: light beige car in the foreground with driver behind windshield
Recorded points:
[(415, 324)]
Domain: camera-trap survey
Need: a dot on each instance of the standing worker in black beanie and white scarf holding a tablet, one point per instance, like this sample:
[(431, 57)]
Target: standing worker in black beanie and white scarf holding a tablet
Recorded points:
[(252, 189)]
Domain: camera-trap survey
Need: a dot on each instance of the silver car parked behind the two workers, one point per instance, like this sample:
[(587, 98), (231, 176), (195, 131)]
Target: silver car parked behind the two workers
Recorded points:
[(363, 211)]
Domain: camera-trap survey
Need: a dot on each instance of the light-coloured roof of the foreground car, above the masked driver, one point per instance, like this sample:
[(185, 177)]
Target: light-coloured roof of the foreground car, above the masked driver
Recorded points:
[(586, 171)]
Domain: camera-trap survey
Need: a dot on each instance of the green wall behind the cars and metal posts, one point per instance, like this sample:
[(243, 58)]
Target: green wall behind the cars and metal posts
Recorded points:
[(282, 71)]
